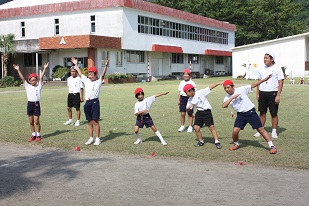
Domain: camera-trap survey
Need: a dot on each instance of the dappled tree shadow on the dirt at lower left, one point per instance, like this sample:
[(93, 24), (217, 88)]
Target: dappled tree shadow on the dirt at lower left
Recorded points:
[(22, 174)]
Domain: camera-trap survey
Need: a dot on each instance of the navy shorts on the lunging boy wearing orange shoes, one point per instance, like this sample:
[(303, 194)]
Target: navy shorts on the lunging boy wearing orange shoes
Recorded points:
[(250, 117)]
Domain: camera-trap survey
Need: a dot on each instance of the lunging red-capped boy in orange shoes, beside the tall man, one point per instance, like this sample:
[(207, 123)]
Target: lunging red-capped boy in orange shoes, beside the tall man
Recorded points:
[(240, 102)]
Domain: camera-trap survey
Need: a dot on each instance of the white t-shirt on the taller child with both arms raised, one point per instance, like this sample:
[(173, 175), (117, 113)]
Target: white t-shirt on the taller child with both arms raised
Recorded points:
[(92, 88)]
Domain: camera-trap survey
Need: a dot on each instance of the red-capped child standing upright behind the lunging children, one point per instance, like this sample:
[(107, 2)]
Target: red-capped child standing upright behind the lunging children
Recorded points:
[(182, 102)]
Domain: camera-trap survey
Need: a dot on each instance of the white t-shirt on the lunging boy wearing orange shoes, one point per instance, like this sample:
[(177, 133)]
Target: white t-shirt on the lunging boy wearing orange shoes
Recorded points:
[(242, 103)]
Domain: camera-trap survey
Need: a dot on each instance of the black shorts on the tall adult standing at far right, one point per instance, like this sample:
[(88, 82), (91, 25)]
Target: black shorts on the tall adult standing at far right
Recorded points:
[(267, 100)]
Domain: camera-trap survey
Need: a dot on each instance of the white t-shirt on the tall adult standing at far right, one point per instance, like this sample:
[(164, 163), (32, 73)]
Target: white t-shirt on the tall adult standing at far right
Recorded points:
[(271, 84)]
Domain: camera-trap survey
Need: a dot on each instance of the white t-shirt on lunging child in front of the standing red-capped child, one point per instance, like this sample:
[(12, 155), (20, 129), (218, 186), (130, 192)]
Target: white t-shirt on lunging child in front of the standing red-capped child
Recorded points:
[(200, 99)]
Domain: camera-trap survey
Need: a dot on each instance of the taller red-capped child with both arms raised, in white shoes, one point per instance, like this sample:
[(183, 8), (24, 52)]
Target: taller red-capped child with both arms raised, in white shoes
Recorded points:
[(92, 105)]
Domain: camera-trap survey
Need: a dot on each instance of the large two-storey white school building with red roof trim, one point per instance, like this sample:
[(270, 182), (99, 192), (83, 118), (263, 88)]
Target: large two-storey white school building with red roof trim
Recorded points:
[(133, 34)]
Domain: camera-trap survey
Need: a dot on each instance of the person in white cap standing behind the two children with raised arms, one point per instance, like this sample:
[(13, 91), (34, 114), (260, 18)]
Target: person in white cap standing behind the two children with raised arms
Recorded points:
[(75, 96)]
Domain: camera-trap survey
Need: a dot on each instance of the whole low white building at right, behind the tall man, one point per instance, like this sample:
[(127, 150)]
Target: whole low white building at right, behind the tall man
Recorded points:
[(291, 52)]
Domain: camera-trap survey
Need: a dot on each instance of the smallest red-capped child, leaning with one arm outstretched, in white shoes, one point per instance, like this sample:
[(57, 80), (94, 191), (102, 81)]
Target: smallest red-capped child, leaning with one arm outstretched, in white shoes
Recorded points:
[(141, 111)]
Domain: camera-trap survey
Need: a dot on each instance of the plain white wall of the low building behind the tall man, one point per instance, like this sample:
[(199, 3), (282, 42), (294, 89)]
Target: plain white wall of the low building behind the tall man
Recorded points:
[(290, 52)]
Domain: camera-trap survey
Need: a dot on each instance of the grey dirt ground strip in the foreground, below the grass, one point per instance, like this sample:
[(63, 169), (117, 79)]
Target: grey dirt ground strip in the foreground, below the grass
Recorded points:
[(43, 176)]
